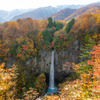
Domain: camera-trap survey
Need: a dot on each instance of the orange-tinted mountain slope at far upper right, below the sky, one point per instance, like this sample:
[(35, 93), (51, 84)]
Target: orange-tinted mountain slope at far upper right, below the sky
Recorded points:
[(92, 8)]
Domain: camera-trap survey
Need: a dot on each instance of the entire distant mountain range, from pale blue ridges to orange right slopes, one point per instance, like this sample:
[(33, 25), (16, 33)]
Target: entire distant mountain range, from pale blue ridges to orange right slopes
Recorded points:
[(62, 12)]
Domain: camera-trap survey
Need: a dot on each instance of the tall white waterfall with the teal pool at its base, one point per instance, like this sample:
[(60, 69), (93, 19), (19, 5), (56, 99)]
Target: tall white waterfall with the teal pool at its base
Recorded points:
[(52, 89)]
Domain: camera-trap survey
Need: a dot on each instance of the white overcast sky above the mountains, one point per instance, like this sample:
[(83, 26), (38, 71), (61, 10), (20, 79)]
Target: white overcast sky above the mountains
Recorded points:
[(9, 5)]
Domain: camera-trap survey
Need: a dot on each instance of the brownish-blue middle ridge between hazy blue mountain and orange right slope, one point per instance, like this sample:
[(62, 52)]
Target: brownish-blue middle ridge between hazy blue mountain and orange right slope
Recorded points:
[(61, 15)]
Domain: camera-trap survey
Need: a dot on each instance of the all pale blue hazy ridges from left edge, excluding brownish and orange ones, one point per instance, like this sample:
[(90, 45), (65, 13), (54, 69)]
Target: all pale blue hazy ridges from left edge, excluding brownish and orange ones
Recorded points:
[(38, 13)]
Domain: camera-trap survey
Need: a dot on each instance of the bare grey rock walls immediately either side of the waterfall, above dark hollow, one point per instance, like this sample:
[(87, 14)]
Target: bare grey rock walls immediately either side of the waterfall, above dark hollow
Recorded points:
[(61, 58)]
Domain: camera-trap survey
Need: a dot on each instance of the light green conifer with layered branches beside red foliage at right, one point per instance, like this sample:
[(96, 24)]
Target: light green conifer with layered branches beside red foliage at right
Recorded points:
[(86, 50)]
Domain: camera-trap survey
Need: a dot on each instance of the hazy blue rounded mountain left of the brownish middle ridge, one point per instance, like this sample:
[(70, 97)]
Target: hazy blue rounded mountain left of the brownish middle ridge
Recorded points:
[(38, 13)]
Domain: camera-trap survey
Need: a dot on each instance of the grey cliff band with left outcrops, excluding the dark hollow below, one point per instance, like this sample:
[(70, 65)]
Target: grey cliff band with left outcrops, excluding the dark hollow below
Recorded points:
[(63, 59)]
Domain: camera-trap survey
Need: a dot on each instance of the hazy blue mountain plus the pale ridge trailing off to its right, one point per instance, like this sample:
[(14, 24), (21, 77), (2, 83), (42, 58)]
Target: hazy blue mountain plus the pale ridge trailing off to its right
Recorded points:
[(42, 12)]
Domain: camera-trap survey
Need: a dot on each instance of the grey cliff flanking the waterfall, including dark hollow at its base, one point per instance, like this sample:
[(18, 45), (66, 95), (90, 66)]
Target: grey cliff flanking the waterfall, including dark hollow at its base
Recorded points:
[(63, 63)]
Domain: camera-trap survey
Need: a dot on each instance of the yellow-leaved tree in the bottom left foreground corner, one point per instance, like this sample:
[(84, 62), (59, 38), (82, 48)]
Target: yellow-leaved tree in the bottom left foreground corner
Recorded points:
[(7, 82)]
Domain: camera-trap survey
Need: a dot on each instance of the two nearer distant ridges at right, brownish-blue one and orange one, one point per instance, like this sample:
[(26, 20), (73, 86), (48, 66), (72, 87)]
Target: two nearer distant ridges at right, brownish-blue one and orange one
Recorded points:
[(67, 14)]
